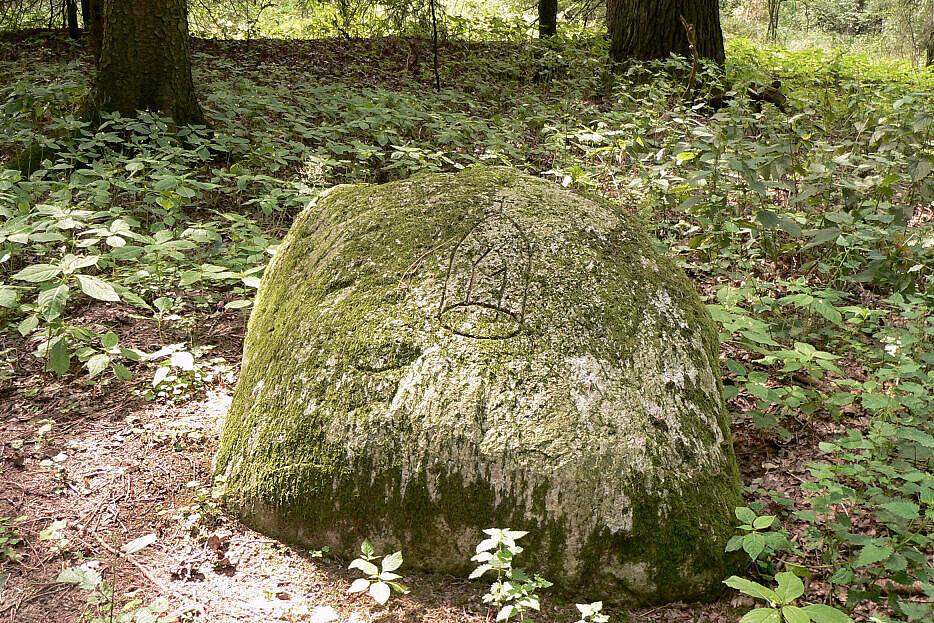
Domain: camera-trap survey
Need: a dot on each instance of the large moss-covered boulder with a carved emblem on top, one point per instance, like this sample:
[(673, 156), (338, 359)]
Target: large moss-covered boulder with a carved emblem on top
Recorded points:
[(454, 352)]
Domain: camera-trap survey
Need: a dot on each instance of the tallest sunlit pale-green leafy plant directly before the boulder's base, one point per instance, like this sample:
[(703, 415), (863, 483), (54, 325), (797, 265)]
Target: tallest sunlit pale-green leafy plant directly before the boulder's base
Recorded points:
[(513, 592)]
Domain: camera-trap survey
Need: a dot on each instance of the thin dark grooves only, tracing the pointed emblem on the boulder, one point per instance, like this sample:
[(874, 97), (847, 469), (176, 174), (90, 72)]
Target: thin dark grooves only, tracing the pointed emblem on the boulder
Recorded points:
[(502, 272)]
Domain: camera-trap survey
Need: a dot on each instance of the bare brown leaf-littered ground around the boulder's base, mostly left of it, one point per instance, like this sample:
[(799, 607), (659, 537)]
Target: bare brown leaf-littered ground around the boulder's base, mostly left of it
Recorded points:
[(123, 467)]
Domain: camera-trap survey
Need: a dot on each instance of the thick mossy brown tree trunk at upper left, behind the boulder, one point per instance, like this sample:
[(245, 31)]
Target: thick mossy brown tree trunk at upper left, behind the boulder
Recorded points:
[(145, 61)]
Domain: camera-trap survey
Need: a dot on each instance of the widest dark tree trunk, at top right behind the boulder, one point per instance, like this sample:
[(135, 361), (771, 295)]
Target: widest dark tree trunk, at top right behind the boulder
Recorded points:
[(650, 29)]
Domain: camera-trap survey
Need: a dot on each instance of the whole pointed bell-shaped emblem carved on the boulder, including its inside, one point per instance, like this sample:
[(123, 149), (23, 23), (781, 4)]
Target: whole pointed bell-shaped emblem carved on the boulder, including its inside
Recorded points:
[(488, 276)]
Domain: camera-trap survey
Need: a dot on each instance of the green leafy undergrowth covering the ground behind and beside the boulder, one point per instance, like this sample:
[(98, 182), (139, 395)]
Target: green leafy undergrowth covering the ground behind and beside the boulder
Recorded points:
[(810, 232)]
